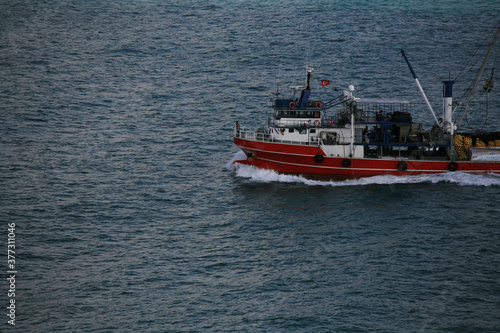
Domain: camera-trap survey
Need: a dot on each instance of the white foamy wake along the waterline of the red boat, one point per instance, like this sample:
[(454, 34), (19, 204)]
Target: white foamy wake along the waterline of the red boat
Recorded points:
[(266, 176)]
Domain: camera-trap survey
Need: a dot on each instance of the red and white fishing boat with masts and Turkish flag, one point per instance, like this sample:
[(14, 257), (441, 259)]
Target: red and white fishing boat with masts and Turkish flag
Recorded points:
[(351, 137)]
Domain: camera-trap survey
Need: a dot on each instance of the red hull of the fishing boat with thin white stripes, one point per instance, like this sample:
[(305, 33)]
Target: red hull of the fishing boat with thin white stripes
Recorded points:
[(299, 159)]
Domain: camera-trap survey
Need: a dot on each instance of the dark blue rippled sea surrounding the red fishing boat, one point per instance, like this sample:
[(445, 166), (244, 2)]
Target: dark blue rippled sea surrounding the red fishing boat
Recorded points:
[(116, 123)]
